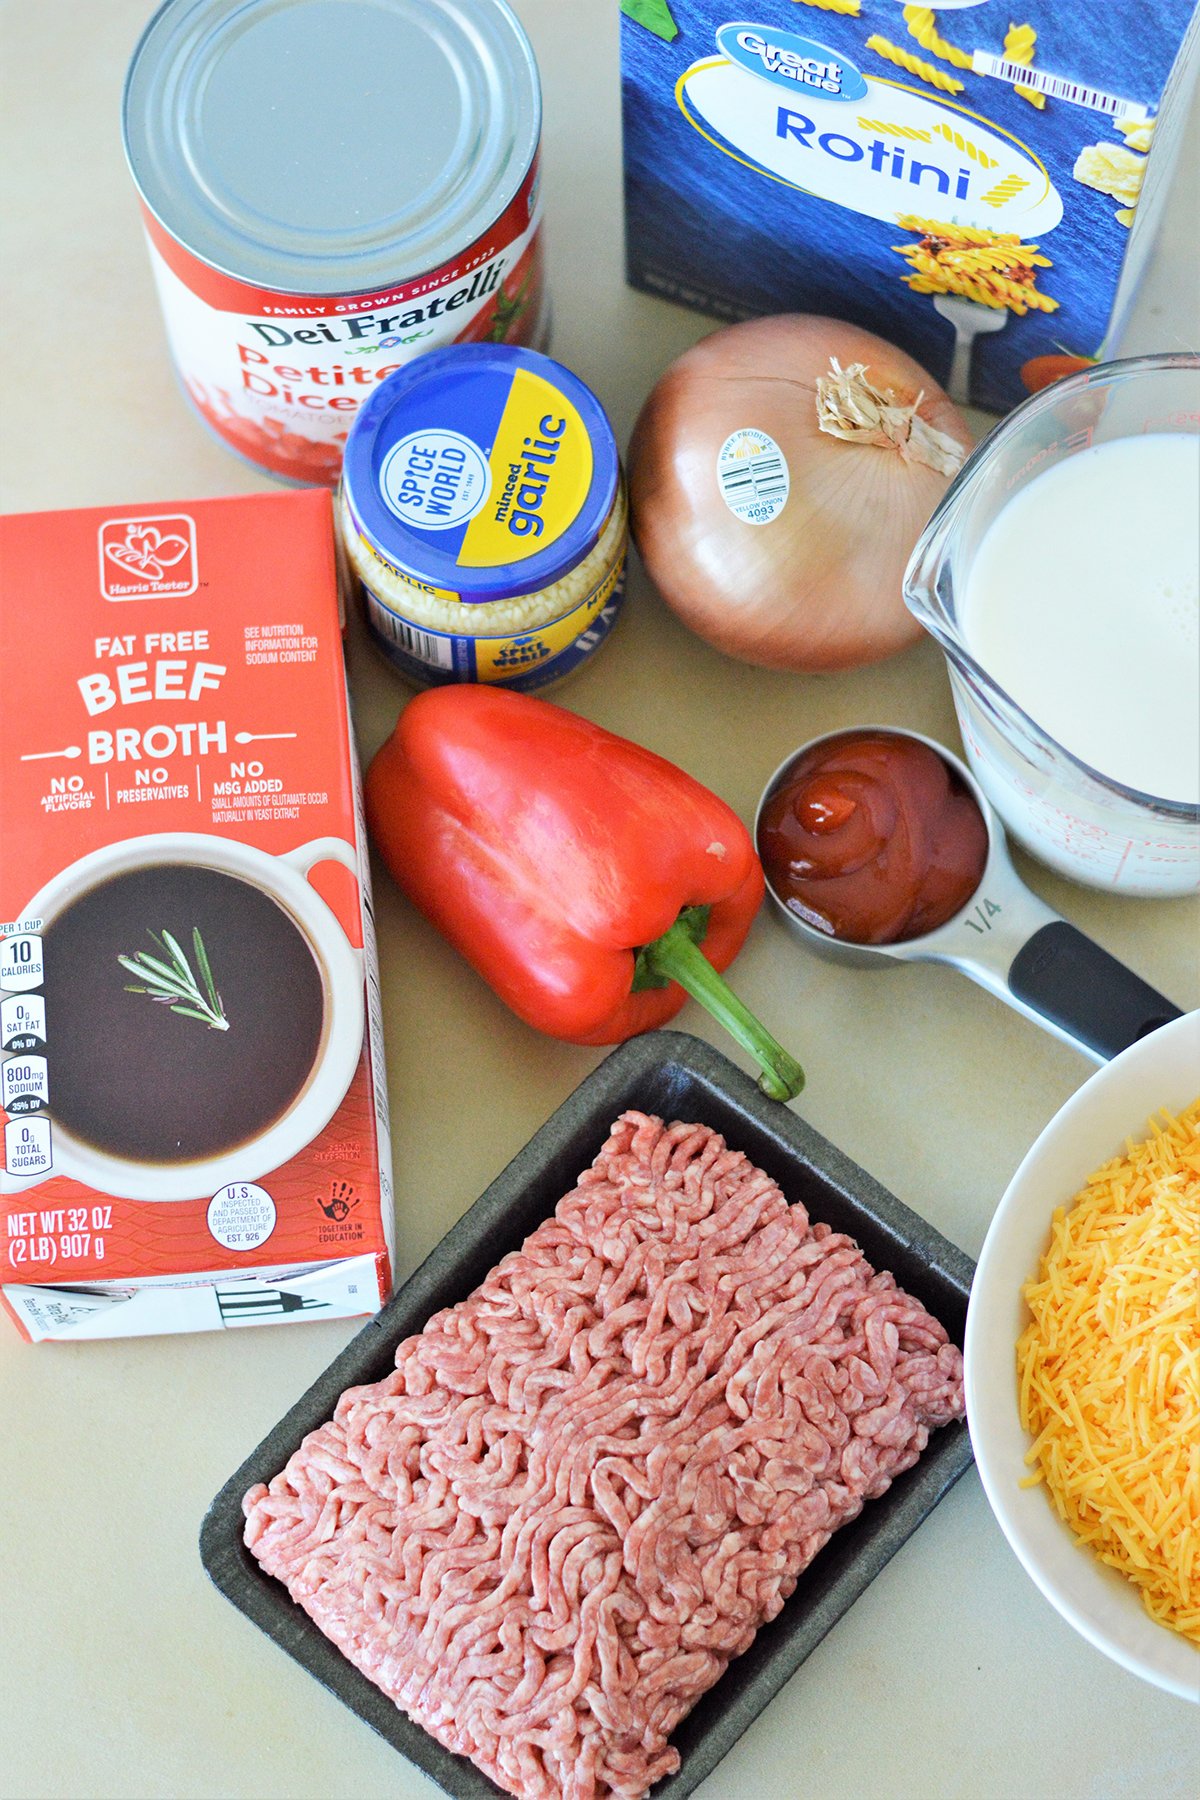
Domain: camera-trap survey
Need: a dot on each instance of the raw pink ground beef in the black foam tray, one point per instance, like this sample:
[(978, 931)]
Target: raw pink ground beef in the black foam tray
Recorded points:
[(589, 1484)]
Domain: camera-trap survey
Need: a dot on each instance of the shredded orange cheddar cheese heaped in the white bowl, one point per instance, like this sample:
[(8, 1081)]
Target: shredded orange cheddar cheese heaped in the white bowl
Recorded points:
[(1111, 1369)]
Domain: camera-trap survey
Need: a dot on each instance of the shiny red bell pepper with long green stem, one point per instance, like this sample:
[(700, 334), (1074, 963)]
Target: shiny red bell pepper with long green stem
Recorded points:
[(577, 872)]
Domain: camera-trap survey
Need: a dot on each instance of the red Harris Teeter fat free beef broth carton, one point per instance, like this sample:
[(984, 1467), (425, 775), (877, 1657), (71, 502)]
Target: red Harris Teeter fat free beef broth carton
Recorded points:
[(192, 1079)]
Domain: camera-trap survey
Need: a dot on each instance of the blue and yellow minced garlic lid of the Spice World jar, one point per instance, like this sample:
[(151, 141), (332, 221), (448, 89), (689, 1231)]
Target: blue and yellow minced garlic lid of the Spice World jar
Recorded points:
[(485, 471)]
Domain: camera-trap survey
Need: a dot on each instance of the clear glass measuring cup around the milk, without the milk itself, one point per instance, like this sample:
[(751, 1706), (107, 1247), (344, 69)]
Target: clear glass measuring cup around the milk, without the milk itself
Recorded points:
[(1071, 816)]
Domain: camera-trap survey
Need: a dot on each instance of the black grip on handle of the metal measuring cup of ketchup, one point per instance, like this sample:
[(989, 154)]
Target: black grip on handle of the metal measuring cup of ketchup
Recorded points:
[(1086, 991)]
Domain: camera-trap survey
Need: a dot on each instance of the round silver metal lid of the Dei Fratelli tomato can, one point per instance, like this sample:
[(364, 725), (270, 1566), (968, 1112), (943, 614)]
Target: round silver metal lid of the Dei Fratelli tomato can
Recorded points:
[(330, 147)]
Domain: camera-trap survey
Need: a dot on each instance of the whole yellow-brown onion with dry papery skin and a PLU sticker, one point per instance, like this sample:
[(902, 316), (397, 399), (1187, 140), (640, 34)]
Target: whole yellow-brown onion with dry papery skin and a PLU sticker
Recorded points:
[(780, 476)]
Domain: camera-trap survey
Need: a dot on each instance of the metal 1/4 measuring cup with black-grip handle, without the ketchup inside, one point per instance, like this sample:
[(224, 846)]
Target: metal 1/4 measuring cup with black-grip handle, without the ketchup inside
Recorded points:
[(1005, 939)]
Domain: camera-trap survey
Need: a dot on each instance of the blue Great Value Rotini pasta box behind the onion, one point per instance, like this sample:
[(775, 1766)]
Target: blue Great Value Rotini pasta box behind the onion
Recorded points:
[(976, 181)]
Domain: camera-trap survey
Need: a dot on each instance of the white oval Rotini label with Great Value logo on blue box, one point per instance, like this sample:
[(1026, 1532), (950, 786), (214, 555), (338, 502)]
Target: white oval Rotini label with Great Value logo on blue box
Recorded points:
[(800, 114)]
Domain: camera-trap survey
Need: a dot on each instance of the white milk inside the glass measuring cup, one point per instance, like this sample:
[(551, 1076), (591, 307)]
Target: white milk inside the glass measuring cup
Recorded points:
[(1084, 606)]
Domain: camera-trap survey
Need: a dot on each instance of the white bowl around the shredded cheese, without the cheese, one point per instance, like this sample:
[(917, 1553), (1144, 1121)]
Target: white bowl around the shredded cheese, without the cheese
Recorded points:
[(1163, 1070)]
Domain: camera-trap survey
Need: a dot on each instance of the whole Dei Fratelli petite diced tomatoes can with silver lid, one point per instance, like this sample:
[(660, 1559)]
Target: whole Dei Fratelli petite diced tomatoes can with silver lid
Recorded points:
[(328, 193)]
